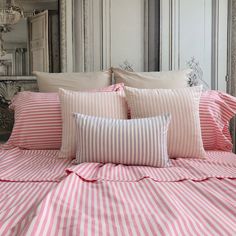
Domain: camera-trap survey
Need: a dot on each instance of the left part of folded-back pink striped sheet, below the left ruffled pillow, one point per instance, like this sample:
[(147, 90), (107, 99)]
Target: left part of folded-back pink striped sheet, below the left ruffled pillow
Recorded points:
[(32, 165)]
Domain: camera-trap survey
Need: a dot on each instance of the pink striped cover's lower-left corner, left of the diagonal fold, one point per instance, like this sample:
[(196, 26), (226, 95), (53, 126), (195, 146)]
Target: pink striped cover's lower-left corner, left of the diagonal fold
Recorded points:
[(18, 202)]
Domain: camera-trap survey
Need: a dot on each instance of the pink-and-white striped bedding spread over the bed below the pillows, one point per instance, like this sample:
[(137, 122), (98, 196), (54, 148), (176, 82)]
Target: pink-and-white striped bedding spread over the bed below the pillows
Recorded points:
[(193, 197)]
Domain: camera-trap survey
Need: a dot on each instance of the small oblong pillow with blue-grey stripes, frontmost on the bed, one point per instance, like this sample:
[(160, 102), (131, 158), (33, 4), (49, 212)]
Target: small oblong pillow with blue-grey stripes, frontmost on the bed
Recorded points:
[(129, 142)]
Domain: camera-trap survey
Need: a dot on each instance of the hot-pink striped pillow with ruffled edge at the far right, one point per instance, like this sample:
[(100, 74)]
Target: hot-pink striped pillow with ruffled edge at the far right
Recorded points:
[(216, 110)]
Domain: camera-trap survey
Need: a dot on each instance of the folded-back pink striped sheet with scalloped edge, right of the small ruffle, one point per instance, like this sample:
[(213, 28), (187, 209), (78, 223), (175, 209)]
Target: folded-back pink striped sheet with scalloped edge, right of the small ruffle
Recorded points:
[(217, 165)]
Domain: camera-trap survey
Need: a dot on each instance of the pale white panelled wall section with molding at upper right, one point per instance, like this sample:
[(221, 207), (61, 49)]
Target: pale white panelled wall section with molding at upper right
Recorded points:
[(187, 32)]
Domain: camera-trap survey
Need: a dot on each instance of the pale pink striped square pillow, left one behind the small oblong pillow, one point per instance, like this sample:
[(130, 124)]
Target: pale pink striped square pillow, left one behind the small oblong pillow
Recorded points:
[(110, 105)]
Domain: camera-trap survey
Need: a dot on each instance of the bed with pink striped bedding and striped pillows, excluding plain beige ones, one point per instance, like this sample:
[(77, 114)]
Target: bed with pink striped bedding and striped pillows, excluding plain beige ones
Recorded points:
[(69, 170)]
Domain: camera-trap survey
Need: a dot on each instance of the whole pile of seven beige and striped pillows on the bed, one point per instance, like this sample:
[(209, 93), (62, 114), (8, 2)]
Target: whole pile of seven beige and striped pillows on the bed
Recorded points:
[(86, 117)]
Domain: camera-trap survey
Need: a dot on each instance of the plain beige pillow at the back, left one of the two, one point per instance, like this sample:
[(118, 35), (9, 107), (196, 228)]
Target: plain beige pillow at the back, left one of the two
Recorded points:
[(51, 82)]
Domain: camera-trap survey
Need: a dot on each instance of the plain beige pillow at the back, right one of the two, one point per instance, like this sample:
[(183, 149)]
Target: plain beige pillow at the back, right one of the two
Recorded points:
[(164, 80)]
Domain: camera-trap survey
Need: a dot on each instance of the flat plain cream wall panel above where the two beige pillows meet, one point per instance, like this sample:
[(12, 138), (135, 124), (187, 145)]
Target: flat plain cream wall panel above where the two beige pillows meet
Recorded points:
[(127, 33)]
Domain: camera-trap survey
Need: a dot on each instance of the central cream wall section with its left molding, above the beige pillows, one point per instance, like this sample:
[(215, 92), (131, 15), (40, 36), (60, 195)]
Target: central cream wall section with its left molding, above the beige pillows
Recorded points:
[(108, 33)]
